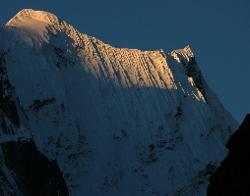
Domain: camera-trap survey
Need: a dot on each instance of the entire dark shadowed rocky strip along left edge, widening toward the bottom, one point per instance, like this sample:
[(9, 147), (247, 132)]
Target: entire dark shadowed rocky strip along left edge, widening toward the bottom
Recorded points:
[(23, 169)]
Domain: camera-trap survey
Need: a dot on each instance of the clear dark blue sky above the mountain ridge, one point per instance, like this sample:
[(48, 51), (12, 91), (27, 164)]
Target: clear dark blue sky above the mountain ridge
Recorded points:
[(217, 30)]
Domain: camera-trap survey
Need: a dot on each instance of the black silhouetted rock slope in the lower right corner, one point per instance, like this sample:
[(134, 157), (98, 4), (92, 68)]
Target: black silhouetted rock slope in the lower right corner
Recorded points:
[(233, 176)]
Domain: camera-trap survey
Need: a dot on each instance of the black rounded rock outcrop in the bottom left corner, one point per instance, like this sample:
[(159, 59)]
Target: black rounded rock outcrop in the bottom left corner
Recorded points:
[(35, 174)]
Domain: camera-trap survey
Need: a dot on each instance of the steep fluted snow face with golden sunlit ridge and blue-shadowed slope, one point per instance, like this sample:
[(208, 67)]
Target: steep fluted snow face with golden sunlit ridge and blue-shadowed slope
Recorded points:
[(118, 121)]
